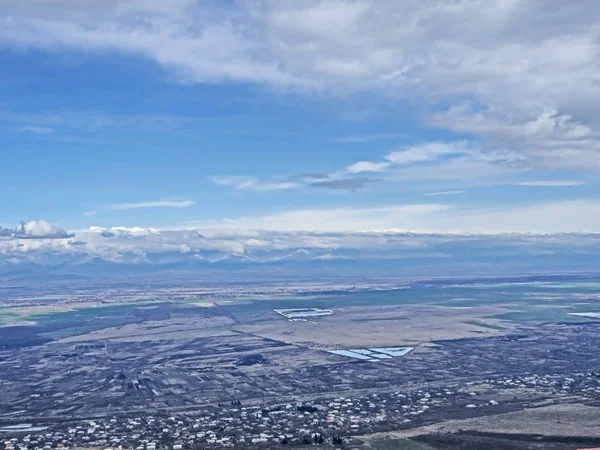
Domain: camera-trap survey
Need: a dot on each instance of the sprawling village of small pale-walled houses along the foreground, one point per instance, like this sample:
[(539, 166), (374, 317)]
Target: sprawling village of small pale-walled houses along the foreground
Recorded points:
[(320, 421)]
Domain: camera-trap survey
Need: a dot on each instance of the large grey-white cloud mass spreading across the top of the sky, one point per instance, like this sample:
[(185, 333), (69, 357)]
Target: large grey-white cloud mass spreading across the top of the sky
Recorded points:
[(529, 69)]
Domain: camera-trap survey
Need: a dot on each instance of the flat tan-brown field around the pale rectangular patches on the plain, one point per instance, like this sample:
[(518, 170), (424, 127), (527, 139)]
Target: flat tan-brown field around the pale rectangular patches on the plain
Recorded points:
[(349, 327)]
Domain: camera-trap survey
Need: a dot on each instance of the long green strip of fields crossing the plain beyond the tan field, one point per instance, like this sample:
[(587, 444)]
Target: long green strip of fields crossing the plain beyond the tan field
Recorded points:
[(528, 302)]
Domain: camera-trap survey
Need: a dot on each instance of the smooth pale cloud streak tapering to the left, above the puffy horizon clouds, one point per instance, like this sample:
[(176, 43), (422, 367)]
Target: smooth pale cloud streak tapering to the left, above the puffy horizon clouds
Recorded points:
[(552, 217)]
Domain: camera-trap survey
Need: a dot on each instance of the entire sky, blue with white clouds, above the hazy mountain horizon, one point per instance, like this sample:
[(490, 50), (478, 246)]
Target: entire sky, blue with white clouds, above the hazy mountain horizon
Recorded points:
[(446, 116)]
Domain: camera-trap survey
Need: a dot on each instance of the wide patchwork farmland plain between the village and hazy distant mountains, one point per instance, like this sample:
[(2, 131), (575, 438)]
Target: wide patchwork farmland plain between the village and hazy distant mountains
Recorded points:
[(184, 353)]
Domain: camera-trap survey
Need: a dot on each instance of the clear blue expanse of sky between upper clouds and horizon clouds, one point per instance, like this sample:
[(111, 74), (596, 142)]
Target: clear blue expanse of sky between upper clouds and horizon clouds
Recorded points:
[(107, 130)]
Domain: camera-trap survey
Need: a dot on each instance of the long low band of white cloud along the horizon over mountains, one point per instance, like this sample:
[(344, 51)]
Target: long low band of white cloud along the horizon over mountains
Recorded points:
[(567, 234)]
